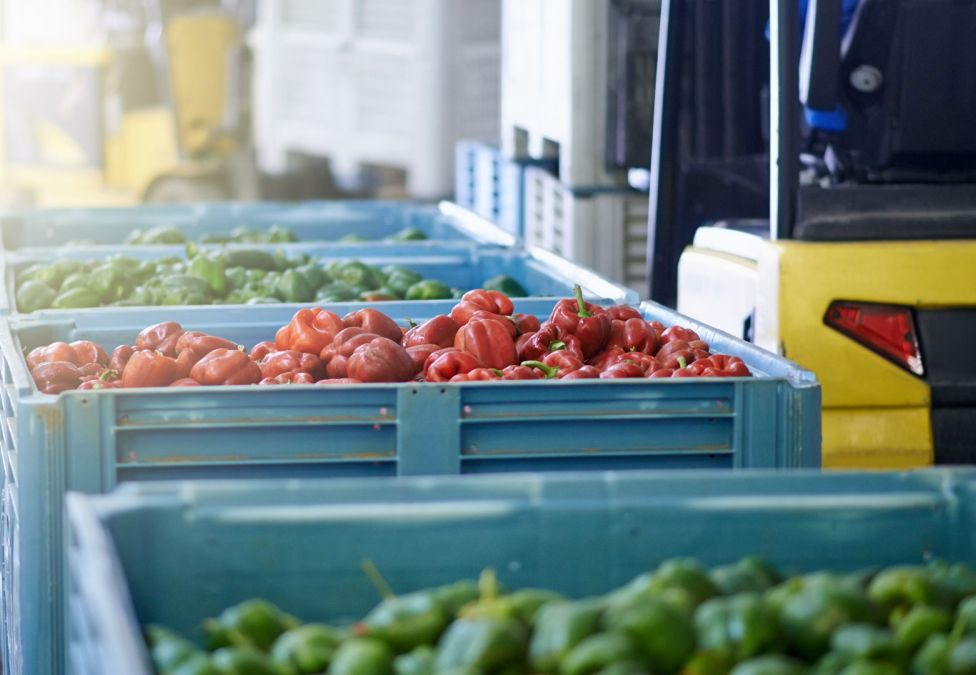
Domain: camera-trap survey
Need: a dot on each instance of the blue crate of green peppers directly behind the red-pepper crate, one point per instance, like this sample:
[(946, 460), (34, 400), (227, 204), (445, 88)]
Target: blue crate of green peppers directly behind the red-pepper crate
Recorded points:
[(543, 274)]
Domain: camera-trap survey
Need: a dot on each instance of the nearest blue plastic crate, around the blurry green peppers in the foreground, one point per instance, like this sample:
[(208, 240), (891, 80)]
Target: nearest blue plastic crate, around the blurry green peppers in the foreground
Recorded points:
[(178, 553)]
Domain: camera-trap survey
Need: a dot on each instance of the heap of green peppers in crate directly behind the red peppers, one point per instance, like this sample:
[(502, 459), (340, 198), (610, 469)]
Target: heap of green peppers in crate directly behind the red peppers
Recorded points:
[(229, 276)]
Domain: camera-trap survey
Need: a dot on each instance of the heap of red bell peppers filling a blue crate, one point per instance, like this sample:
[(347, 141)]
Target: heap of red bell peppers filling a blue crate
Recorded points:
[(482, 339)]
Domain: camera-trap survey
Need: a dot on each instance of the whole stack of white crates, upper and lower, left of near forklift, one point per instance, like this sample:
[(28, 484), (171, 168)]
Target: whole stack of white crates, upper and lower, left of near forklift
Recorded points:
[(555, 56)]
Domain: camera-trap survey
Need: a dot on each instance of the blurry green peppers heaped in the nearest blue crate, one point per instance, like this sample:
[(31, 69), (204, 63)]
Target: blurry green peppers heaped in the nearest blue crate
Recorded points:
[(738, 619)]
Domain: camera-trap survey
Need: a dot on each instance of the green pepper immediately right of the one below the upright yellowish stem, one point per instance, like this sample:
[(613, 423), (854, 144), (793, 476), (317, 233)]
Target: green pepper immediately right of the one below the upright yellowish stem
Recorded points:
[(560, 626)]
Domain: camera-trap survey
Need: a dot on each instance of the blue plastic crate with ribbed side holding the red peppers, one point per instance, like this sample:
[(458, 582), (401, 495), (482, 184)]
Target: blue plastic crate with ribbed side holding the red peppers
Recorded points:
[(91, 441)]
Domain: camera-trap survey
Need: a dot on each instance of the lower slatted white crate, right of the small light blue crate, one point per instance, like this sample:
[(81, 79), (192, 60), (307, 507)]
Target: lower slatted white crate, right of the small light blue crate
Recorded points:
[(606, 231)]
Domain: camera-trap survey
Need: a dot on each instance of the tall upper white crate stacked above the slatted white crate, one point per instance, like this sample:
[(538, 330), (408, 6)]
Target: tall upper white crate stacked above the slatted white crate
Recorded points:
[(555, 59)]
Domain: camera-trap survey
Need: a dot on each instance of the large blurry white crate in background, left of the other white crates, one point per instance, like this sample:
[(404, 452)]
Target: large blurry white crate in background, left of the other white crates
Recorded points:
[(384, 82)]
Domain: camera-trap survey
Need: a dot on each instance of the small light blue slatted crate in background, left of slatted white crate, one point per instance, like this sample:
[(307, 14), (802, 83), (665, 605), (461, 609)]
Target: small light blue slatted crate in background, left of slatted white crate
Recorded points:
[(492, 186)]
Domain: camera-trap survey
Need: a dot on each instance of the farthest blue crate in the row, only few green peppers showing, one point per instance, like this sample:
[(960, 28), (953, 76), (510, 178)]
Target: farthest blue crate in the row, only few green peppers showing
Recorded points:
[(310, 221)]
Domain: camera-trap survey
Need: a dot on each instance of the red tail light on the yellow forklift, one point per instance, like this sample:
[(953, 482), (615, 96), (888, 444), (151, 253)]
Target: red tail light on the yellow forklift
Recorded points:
[(888, 330)]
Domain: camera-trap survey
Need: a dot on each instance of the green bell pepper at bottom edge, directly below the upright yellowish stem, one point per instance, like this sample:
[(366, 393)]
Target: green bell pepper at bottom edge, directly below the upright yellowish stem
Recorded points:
[(488, 644)]
